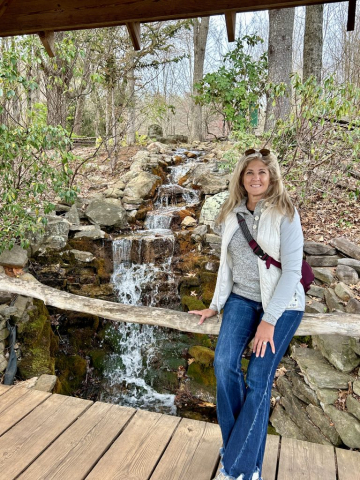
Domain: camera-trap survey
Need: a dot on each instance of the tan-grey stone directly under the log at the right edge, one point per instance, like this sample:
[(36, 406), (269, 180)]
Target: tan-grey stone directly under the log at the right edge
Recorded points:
[(337, 350)]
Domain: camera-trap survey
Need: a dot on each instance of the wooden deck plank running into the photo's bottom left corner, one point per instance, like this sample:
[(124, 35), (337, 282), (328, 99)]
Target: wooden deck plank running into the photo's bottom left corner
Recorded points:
[(21, 445)]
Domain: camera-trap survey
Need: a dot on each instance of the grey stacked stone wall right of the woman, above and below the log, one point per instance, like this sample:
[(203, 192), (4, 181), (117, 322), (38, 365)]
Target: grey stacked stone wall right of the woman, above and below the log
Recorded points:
[(318, 398)]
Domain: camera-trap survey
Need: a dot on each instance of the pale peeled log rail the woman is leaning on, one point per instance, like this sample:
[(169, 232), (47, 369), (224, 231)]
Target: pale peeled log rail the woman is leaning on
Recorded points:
[(313, 324)]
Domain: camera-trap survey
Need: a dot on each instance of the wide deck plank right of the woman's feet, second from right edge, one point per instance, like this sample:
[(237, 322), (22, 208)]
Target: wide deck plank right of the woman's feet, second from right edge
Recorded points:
[(300, 460)]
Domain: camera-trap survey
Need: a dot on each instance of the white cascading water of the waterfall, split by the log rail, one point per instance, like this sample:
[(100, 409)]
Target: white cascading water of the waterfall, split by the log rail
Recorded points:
[(137, 281)]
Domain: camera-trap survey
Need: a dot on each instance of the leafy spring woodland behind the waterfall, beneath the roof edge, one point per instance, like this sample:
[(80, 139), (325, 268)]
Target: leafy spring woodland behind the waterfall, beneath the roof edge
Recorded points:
[(297, 69)]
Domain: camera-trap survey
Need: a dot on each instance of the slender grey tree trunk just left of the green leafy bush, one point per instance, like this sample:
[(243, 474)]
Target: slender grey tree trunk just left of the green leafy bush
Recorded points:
[(201, 29)]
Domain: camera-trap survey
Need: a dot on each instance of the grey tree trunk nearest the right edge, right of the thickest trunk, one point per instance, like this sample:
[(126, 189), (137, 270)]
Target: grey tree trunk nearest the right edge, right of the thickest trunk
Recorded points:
[(313, 42)]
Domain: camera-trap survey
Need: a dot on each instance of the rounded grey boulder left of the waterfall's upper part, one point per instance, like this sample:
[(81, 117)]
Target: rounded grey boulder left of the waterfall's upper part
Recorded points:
[(107, 213)]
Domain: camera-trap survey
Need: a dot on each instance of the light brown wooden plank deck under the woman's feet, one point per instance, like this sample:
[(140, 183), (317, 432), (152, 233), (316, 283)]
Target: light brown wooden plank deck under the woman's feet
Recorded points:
[(44, 436)]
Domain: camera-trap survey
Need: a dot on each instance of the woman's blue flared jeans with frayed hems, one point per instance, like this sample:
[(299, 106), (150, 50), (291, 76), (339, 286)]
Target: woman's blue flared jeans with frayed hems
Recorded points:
[(243, 408)]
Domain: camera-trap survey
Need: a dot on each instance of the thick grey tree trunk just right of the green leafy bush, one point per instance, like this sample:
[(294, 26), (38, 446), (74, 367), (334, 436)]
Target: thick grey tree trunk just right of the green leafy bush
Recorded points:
[(281, 26)]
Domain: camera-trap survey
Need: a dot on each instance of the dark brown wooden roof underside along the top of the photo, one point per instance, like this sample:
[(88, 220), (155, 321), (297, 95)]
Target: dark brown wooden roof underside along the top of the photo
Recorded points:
[(32, 16)]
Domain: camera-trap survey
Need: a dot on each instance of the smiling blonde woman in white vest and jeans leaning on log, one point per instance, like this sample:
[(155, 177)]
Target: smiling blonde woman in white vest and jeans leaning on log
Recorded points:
[(260, 303)]
